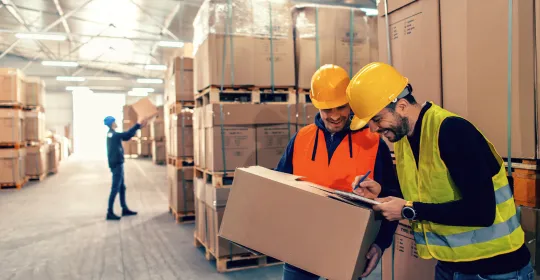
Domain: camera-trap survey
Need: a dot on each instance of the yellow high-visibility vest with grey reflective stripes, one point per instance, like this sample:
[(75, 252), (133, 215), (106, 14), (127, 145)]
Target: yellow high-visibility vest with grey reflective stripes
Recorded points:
[(431, 183)]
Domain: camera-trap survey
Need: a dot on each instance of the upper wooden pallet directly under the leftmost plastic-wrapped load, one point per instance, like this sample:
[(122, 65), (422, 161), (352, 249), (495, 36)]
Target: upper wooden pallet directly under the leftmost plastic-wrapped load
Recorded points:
[(254, 95)]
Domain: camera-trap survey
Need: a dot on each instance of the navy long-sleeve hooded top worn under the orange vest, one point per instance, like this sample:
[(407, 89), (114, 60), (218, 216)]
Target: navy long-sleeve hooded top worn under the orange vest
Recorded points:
[(384, 173)]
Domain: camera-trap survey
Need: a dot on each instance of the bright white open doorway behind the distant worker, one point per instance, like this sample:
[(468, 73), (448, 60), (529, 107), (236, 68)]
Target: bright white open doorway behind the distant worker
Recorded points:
[(89, 132)]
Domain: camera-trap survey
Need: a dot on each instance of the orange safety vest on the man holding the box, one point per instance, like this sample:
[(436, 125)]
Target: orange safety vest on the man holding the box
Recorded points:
[(354, 156)]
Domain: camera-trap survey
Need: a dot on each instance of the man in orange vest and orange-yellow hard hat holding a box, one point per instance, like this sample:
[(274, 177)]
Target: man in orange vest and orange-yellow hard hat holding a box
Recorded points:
[(330, 154)]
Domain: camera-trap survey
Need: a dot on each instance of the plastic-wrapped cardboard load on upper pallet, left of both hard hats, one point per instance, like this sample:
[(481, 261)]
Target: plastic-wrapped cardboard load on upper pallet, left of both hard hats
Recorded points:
[(243, 43)]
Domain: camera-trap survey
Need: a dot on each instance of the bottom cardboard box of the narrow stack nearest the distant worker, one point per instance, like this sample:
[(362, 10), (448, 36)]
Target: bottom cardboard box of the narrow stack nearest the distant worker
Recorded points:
[(181, 189)]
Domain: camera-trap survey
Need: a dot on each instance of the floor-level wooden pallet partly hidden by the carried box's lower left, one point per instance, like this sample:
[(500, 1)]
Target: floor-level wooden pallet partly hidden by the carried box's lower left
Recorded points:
[(236, 262)]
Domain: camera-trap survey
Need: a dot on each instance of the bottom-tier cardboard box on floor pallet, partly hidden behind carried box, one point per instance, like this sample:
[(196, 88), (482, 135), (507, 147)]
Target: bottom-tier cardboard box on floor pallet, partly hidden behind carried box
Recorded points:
[(216, 200)]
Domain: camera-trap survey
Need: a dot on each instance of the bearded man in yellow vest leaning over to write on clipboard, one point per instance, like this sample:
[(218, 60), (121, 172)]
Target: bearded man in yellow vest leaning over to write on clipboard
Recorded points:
[(457, 194)]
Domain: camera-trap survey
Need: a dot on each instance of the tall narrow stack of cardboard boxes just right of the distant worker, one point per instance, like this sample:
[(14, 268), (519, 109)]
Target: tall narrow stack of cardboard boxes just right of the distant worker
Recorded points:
[(179, 137)]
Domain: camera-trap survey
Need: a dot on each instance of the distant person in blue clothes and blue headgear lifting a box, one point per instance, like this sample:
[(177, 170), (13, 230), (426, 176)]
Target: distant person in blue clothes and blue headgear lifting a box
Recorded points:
[(115, 155)]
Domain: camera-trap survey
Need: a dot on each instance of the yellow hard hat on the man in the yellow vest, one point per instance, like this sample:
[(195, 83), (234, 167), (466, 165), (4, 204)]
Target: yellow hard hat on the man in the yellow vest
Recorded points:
[(374, 87)]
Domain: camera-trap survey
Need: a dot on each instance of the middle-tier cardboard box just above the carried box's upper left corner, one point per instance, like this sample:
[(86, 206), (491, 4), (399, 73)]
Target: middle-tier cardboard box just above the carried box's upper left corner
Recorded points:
[(231, 148)]
